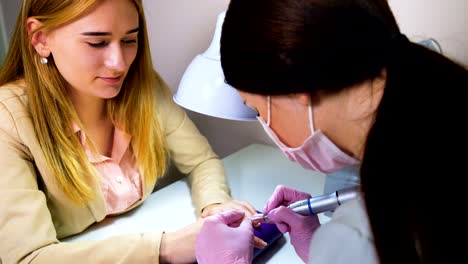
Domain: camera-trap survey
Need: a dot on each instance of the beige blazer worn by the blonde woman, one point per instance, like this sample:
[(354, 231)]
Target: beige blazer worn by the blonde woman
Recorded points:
[(35, 214)]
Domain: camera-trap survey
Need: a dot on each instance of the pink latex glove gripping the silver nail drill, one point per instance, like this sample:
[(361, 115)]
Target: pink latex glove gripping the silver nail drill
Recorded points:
[(300, 228)]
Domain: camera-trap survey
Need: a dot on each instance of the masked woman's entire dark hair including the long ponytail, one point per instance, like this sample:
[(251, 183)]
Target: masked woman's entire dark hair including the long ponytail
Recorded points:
[(279, 47)]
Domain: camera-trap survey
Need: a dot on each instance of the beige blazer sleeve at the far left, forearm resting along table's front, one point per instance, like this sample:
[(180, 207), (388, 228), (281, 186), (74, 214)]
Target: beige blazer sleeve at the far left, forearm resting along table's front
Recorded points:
[(27, 232)]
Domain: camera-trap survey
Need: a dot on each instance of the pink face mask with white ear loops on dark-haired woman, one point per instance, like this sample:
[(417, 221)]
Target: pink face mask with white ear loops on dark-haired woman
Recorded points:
[(316, 153)]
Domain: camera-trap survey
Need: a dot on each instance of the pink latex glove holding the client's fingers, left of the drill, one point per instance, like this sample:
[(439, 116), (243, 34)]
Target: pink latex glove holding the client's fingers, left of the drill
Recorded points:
[(223, 240)]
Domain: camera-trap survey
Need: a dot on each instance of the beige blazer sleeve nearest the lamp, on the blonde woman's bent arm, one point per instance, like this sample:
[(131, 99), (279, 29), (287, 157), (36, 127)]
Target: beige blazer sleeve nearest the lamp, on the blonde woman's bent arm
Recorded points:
[(192, 154)]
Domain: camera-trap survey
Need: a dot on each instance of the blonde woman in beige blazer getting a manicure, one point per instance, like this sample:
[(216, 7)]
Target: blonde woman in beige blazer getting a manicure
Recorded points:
[(86, 128)]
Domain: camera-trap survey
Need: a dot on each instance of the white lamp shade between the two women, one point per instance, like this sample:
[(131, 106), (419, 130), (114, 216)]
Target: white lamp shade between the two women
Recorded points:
[(203, 90)]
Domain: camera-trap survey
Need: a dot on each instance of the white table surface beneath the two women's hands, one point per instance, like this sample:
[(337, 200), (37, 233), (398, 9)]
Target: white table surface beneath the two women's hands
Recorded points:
[(253, 173)]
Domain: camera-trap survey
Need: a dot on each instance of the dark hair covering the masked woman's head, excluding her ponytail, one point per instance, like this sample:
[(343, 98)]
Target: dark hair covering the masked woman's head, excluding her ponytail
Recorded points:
[(280, 47)]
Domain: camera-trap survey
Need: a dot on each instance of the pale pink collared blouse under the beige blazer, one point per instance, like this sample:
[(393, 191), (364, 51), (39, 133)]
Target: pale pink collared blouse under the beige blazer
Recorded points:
[(120, 182)]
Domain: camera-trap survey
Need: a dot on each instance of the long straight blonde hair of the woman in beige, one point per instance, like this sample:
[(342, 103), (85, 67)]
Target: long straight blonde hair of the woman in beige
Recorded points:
[(53, 112)]
